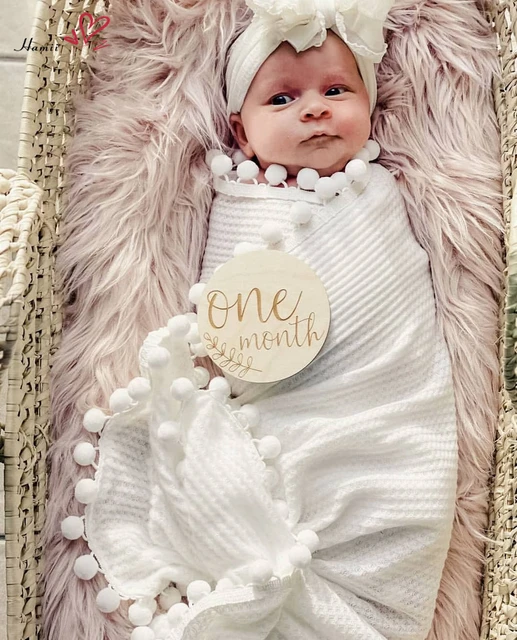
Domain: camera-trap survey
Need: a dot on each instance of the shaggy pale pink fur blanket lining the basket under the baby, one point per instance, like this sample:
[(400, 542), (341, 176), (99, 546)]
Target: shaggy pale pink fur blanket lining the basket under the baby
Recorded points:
[(133, 235)]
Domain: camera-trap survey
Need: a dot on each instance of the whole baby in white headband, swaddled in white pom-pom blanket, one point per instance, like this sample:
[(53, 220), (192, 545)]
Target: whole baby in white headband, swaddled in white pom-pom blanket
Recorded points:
[(341, 531)]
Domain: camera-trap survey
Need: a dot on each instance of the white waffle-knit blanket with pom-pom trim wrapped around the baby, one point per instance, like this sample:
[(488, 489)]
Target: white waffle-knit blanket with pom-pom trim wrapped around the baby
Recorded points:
[(369, 452)]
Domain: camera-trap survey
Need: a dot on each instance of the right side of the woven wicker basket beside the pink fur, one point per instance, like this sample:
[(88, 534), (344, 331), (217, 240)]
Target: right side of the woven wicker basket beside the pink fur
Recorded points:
[(500, 580)]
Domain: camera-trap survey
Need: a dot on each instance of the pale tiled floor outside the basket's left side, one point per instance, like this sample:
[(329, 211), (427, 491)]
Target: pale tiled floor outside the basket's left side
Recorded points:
[(15, 26)]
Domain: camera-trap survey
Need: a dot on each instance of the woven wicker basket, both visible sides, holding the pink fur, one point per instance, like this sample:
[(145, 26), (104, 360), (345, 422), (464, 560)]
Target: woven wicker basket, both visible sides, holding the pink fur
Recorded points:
[(31, 201)]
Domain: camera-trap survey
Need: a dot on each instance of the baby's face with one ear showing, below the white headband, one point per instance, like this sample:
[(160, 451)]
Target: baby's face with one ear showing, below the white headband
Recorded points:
[(296, 95)]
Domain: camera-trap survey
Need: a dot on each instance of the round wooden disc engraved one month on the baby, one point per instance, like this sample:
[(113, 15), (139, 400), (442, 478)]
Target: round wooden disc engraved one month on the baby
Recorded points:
[(264, 315)]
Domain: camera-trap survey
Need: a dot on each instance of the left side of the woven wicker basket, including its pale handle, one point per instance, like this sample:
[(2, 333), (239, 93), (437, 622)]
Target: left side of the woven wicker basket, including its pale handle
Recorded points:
[(29, 298)]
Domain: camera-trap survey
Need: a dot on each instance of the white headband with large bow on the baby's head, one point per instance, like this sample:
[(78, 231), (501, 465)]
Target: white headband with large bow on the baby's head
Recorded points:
[(304, 24)]
